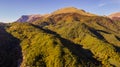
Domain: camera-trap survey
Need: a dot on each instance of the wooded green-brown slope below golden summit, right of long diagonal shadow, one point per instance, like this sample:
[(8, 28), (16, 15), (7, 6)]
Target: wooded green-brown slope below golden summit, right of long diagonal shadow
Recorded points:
[(97, 34)]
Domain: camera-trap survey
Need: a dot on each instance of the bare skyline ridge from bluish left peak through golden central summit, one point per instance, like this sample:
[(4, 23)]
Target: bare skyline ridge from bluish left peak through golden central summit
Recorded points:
[(32, 18)]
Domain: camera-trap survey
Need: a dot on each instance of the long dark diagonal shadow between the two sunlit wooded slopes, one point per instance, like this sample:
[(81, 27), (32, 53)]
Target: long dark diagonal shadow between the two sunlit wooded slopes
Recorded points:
[(84, 55)]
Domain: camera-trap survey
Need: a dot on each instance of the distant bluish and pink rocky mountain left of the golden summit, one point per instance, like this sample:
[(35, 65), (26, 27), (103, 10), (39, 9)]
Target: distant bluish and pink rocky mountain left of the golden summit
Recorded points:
[(29, 18)]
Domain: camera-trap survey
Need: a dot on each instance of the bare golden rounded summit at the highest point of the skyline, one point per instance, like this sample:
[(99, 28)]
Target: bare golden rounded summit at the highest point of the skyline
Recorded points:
[(72, 10)]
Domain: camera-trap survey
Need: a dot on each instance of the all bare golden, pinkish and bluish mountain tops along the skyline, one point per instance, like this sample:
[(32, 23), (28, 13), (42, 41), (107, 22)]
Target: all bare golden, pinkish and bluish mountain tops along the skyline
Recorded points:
[(32, 18)]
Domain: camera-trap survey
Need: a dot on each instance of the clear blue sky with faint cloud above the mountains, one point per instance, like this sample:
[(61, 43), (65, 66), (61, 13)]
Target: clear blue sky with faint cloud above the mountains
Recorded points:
[(11, 10)]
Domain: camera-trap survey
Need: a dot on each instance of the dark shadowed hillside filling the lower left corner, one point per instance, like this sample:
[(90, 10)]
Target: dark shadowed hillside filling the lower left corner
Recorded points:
[(10, 50)]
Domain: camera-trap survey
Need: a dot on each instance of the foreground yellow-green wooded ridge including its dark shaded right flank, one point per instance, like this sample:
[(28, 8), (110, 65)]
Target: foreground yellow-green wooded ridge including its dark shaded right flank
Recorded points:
[(45, 48)]
